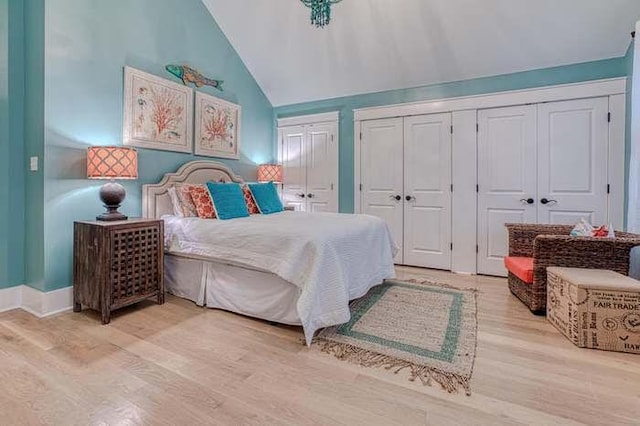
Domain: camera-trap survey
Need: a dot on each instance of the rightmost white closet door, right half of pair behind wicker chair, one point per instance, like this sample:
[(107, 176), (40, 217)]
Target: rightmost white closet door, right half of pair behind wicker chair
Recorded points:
[(573, 141)]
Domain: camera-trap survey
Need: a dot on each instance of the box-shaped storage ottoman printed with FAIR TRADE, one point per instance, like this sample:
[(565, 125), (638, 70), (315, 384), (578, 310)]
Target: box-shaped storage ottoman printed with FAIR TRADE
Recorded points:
[(595, 308)]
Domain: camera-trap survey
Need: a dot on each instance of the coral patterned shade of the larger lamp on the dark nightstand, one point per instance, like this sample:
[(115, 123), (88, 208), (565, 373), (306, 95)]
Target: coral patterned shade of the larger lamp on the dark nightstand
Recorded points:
[(112, 162)]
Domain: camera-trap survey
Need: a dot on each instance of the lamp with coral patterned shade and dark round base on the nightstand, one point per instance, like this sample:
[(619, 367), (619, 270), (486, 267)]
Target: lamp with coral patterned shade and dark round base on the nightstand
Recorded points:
[(112, 162)]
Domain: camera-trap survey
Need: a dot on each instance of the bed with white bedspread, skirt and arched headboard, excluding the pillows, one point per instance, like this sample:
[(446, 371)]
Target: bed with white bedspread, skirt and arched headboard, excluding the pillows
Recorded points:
[(291, 267)]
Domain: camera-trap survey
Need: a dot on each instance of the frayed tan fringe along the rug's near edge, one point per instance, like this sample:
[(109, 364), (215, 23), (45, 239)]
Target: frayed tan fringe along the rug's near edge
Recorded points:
[(451, 382)]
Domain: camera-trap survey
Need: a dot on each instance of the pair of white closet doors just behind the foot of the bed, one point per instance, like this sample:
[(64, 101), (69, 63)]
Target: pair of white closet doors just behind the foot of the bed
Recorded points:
[(406, 180)]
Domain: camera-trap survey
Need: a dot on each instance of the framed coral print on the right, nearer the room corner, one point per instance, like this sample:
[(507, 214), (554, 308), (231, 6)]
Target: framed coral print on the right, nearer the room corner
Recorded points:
[(217, 132)]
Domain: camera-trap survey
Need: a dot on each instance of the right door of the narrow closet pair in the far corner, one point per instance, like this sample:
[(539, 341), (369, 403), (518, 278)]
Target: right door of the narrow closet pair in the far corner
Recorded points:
[(322, 168)]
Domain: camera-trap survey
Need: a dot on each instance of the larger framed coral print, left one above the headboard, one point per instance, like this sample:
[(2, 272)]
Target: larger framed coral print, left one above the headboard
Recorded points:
[(158, 113)]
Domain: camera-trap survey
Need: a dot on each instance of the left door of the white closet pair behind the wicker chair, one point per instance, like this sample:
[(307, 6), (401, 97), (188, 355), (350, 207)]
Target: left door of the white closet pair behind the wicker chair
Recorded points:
[(507, 190)]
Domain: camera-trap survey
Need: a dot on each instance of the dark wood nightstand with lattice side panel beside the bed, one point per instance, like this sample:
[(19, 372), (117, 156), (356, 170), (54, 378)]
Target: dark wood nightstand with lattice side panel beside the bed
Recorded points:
[(116, 264)]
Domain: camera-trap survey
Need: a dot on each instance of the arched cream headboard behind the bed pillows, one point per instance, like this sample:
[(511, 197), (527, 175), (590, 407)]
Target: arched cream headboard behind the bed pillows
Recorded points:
[(155, 198)]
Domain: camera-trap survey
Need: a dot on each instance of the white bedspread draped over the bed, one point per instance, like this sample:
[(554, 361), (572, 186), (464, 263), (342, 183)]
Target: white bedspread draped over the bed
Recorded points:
[(329, 257)]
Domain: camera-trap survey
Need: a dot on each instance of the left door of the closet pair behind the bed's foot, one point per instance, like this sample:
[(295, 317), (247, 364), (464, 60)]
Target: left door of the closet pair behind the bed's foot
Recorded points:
[(381, 156)]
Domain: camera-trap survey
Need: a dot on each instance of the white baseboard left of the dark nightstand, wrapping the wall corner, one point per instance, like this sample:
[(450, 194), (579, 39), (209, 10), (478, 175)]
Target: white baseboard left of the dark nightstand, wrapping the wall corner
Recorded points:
[(38, 303)]
